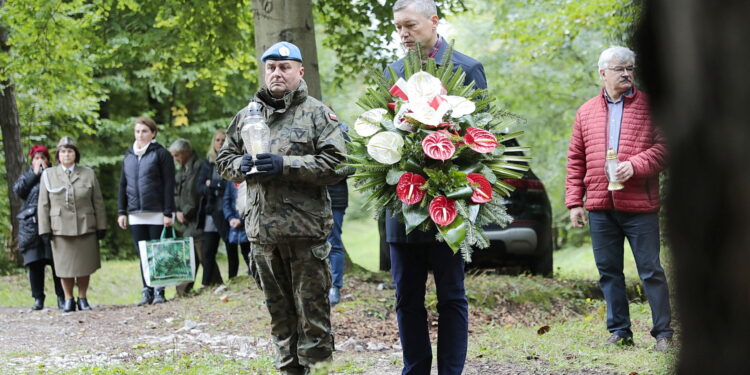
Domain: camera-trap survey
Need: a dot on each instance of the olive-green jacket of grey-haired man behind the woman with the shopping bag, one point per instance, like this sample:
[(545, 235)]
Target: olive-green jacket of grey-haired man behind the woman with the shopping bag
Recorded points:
[(186, 197)]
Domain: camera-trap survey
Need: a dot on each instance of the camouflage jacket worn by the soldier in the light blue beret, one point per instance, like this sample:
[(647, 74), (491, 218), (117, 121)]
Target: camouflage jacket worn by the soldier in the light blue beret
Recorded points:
[(295, 204)]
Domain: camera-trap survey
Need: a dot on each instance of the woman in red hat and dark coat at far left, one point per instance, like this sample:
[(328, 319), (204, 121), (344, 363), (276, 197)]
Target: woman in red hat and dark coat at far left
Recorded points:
[(36, 253)]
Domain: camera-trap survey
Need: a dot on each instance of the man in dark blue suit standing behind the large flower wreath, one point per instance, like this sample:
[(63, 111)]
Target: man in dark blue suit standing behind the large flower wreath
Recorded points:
[(413, 254)]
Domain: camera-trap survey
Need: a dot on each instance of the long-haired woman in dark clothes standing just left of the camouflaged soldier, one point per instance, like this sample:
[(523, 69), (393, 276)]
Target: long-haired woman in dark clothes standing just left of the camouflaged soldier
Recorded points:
[(211, 188)]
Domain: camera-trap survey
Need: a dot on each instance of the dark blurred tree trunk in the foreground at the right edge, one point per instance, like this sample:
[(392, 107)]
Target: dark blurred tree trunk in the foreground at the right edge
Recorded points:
[(693, 59)]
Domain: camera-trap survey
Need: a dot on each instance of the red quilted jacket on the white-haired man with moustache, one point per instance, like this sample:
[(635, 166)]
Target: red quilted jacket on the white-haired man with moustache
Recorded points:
[(640, 143)]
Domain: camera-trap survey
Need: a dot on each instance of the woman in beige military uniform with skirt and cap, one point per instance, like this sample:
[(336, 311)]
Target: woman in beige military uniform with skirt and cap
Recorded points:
[(72, 218)]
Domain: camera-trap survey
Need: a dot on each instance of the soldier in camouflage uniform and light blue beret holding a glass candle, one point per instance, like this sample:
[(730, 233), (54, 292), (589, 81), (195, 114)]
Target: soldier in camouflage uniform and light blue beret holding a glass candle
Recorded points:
[(288, 215)]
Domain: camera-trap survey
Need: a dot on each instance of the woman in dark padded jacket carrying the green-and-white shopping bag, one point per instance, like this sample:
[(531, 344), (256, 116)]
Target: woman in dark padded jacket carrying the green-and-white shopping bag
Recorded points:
[(146, 196)]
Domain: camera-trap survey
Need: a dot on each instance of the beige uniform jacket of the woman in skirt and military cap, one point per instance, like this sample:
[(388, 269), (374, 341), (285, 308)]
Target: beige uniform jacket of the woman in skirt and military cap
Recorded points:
[(70, 207)]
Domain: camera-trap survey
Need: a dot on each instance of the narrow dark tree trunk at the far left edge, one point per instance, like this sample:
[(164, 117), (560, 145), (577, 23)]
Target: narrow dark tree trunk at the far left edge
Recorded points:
[(11, 129)]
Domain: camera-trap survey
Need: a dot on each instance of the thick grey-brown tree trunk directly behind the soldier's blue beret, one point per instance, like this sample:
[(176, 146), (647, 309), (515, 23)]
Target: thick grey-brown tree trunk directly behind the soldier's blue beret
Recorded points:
[(291, 21)]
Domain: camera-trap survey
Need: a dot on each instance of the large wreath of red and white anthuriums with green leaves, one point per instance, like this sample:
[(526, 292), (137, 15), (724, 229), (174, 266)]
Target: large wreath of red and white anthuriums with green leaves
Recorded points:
[(429, 149)]
